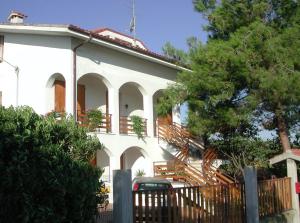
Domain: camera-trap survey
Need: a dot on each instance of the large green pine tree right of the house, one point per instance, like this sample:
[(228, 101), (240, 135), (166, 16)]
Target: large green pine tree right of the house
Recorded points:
[(245, 78)]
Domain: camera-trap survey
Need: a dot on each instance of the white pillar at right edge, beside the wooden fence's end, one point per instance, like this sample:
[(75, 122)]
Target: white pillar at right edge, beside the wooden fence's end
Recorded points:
[(292, 173)]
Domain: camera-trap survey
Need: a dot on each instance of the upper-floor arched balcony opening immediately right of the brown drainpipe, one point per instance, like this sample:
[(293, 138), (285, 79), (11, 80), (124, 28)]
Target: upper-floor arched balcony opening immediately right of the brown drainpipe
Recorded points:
[(92, 94)]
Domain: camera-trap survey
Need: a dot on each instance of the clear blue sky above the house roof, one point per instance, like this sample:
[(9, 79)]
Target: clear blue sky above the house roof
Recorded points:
[(158, 21)]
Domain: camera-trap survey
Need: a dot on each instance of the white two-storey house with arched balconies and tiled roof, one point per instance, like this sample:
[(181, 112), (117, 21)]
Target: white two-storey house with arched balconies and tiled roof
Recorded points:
[(66, 68)]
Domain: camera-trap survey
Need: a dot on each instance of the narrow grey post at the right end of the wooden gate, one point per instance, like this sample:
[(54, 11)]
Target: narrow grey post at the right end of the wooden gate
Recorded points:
[(250, 176)]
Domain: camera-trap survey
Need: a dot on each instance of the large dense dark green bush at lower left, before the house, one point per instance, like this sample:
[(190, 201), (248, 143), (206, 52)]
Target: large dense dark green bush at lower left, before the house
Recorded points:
[(45, 175)]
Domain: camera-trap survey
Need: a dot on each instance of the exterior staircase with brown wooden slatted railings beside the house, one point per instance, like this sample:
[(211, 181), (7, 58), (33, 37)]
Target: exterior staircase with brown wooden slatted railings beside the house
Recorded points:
[(179, 169)]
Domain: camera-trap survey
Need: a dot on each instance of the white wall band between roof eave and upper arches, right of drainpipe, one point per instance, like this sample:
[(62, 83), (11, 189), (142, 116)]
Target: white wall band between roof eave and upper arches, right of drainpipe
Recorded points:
[(119, 69)]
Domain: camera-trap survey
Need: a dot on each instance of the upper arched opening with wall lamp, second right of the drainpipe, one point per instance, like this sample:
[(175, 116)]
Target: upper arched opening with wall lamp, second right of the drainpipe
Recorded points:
[(130, 104)]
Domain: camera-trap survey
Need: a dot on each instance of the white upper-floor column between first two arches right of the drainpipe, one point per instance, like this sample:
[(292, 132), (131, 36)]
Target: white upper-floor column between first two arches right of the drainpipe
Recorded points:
[(113, 107)]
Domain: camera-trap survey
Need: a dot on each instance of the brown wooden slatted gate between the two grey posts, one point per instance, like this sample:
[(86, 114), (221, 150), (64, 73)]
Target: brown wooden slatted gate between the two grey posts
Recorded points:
[(189, 204)]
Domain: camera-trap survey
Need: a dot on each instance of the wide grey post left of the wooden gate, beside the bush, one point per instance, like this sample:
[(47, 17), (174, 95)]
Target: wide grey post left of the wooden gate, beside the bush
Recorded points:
[(122, 195)]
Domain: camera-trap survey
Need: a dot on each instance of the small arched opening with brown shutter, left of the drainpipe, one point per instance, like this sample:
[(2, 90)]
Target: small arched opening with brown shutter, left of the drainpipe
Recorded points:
[(56, 93)]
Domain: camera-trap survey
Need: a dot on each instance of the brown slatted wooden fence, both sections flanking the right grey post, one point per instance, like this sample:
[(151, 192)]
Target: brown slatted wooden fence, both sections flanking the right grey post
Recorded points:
[(211, 204)]
